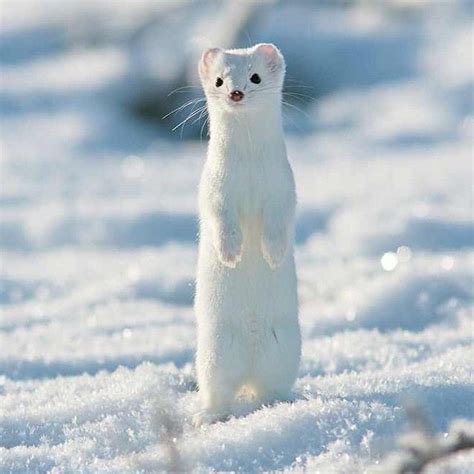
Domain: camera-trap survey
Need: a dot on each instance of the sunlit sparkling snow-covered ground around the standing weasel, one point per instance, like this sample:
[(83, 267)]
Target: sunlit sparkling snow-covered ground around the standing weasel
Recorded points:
[(98, 247)]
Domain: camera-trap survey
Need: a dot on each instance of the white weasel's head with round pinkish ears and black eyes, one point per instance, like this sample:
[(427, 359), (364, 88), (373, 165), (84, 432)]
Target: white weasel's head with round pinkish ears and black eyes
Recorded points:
[(242, 79)]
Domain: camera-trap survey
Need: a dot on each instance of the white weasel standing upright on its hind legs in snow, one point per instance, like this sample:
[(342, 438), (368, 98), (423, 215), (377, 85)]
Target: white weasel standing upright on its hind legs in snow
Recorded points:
[(246, 301)]
